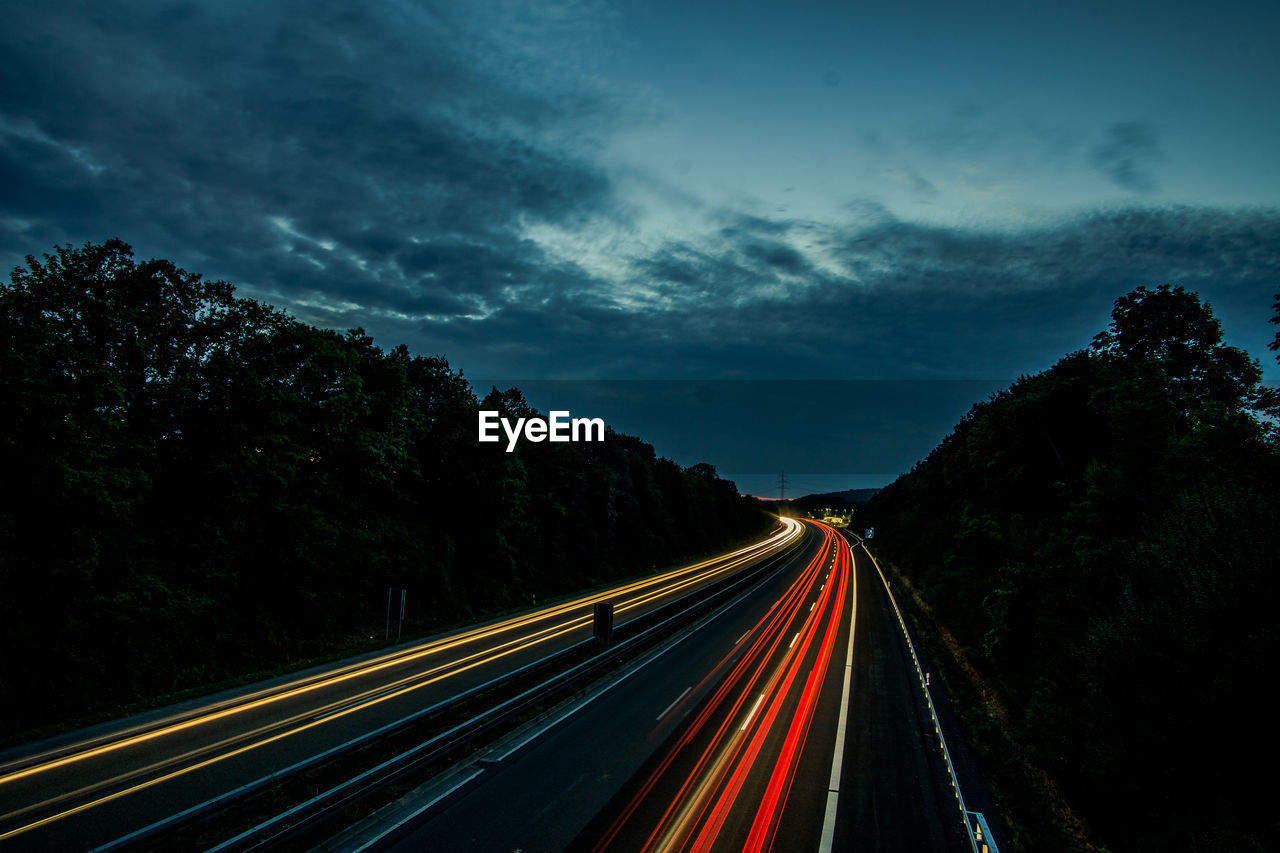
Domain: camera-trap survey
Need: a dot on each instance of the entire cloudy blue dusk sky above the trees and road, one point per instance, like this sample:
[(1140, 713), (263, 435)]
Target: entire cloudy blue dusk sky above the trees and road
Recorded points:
[(698, 191)]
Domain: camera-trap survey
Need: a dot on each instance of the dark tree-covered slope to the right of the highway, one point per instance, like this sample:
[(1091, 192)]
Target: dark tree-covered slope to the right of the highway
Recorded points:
[(1104, 540)]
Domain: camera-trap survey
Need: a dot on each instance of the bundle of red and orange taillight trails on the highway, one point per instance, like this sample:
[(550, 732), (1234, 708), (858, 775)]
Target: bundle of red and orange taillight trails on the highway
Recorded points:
[(725, 783)]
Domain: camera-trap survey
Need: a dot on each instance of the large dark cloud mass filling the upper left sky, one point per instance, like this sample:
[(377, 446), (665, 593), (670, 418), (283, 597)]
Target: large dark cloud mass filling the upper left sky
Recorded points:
[(317, 153)]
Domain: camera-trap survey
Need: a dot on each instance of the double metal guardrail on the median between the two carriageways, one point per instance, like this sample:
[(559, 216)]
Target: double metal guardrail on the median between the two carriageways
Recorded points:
[(280, 828)]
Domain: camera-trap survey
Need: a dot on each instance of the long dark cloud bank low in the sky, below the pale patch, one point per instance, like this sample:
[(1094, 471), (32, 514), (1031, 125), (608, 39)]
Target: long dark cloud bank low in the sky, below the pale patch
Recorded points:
[(881, 299)]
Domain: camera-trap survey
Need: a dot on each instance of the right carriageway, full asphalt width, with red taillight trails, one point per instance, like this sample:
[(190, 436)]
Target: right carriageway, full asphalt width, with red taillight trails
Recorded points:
[(726, 740)]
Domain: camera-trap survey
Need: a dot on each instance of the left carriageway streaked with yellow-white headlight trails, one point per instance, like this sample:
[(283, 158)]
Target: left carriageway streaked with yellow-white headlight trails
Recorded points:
[(93, 788)]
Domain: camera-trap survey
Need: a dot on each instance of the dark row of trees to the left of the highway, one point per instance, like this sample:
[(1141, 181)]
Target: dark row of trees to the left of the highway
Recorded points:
[(199, 486)]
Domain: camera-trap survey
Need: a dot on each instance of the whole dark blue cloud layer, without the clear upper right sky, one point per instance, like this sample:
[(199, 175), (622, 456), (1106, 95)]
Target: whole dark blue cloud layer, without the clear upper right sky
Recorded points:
[(435, 175)]
